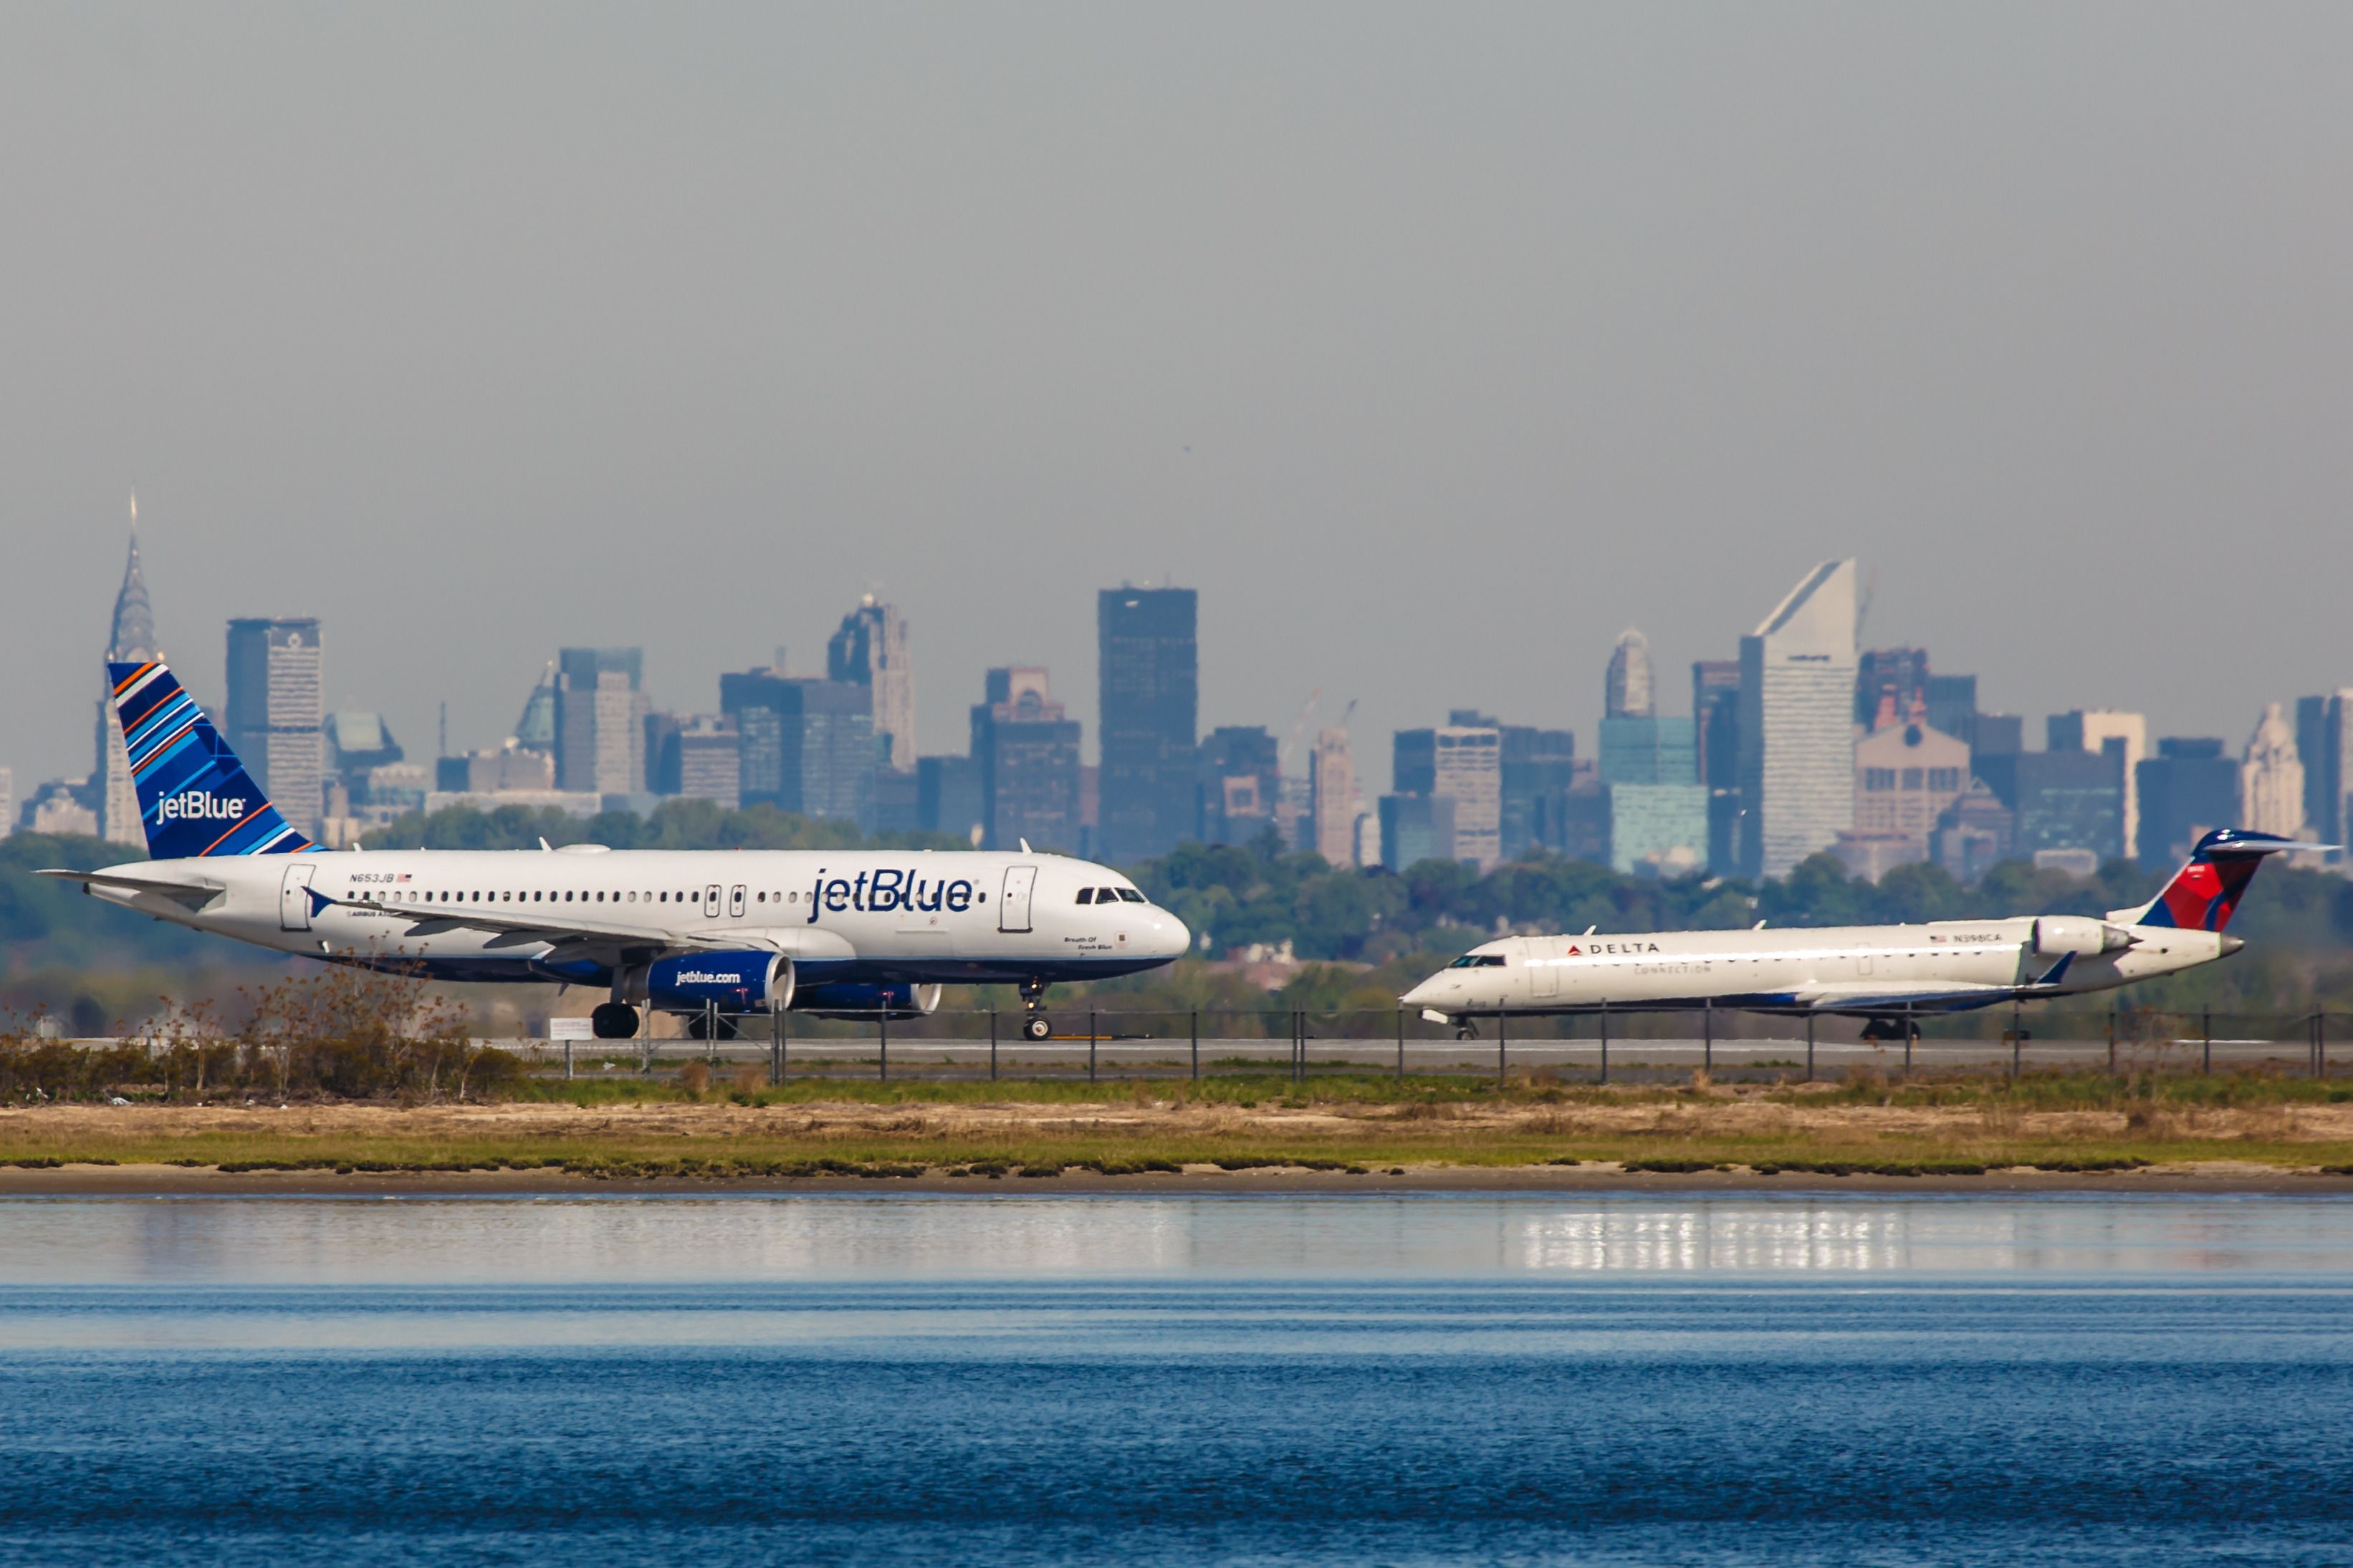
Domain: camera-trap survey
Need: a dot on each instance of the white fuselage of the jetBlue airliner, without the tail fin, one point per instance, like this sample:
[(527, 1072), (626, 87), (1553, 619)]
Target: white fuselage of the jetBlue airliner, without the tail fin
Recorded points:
[(839, 916)]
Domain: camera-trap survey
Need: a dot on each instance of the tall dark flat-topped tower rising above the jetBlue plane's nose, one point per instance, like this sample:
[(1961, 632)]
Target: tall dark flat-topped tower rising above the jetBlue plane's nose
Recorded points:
[(1152, 718)]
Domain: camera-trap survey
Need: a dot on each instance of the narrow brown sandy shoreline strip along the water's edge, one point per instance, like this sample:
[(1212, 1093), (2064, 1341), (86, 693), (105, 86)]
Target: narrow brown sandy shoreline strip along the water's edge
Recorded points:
[(1592, 1179)]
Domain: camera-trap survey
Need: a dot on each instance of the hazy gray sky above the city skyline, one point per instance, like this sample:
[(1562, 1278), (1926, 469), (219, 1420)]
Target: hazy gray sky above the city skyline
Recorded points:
[(1434, 344)]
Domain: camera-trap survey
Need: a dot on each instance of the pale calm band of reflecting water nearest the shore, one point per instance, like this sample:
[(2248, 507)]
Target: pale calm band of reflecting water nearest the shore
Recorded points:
[(639, 1240)]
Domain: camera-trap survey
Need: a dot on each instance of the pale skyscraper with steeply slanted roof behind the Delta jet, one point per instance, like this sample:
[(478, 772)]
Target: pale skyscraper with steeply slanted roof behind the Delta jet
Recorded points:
[(1799, 723)]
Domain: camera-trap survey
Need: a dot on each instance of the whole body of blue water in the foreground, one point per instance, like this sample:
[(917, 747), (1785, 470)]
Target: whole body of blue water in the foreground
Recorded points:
[(1178, 1381)]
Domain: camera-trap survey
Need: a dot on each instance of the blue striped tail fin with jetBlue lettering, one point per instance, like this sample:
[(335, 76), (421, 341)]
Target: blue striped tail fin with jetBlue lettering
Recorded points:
[(194, 793)]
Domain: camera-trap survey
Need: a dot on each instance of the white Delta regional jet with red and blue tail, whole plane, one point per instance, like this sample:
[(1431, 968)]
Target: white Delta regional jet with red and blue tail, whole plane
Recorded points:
[(1886, 974)]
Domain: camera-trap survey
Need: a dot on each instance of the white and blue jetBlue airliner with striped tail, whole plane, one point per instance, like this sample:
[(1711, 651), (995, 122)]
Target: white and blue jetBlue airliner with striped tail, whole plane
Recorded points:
[(709, 934)]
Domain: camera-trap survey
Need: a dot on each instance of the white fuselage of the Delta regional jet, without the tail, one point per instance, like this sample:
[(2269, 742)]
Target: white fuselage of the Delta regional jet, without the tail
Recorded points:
[(1858, 970)]
